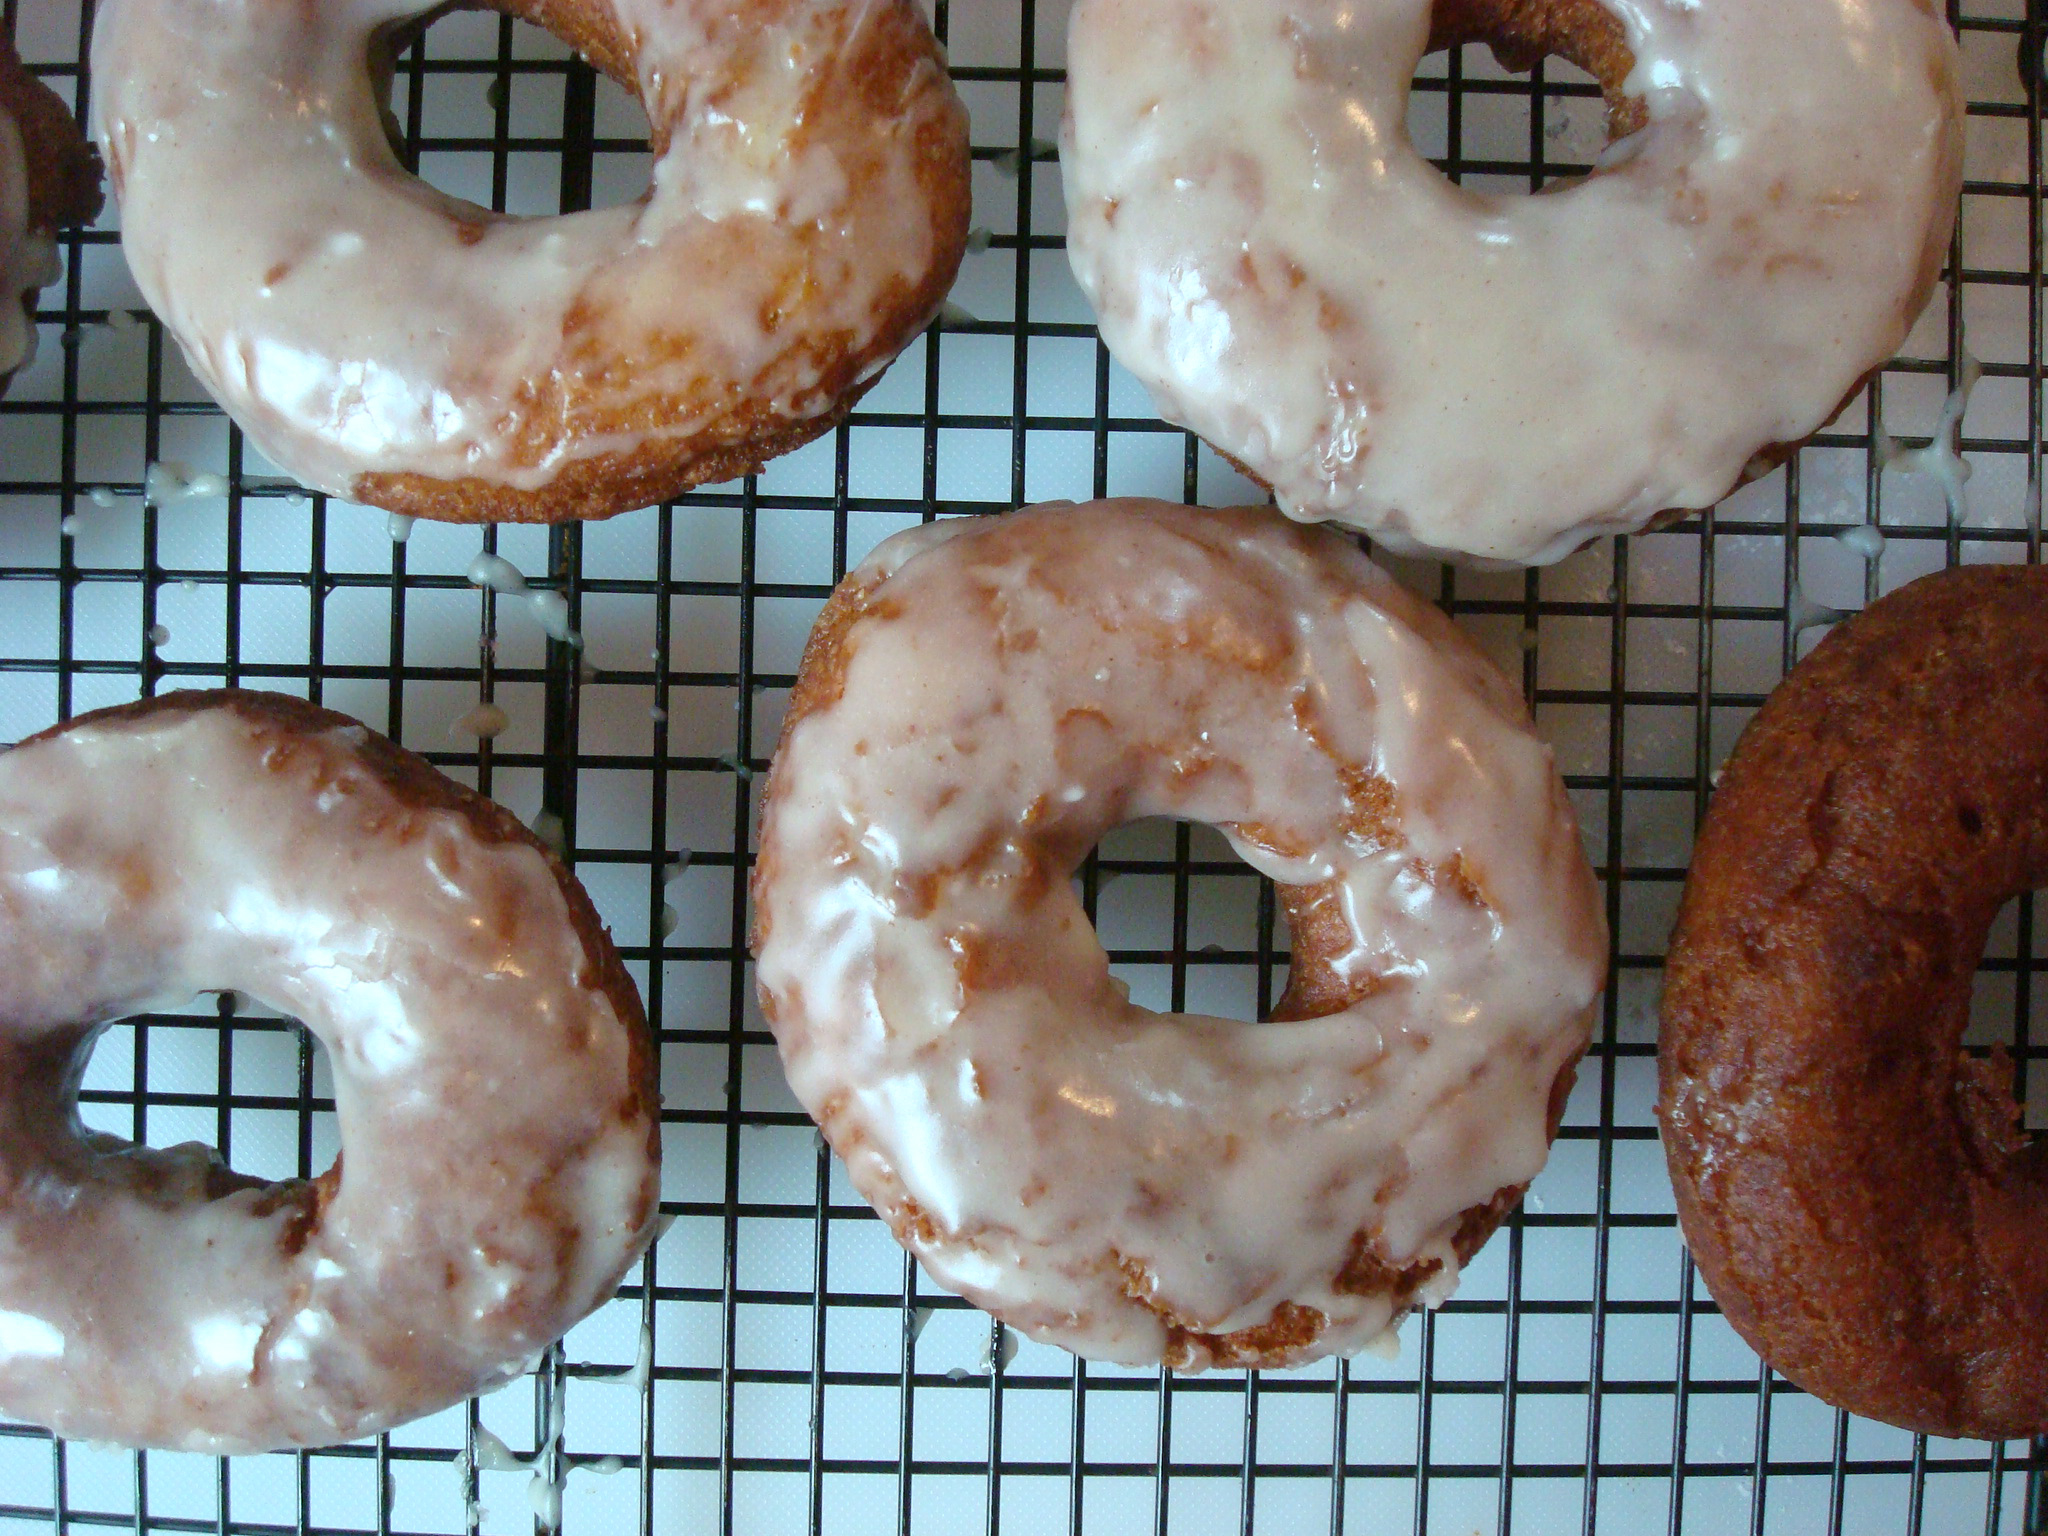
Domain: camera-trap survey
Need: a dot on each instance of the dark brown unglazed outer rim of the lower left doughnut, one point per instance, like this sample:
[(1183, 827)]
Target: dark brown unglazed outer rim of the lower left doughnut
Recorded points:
[(417, 783)]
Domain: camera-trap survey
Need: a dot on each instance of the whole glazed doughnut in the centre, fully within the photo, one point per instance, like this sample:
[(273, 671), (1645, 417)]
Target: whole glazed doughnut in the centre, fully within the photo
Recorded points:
[(988, 697)]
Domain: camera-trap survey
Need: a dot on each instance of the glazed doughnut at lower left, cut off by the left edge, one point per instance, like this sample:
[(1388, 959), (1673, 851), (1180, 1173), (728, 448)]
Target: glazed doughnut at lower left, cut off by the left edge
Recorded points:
[(493, 1082)]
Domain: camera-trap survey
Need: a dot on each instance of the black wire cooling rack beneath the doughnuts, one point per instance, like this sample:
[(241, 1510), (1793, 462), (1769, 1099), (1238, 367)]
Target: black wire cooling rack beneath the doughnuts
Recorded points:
[(777, 1363)]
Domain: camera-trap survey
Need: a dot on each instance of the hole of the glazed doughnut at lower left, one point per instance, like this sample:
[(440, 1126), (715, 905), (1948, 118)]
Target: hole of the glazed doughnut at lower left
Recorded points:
[(228, 1074)]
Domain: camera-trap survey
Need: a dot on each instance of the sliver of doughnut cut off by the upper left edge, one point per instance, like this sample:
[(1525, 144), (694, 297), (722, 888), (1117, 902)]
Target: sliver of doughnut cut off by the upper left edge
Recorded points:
[(50, 179)]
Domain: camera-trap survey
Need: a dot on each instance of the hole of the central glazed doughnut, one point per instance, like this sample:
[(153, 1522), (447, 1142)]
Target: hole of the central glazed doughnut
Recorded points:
[(1189, 927)]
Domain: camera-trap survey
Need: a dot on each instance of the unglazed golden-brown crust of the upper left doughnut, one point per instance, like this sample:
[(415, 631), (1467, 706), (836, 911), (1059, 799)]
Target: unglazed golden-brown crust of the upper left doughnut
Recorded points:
[(738, 435)]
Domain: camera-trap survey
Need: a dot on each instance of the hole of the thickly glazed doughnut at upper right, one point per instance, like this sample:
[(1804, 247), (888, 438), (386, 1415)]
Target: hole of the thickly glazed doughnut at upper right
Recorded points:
[(1553, 128)]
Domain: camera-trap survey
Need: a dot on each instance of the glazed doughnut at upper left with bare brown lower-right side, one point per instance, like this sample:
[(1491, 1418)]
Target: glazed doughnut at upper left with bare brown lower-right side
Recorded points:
[(404, 349)]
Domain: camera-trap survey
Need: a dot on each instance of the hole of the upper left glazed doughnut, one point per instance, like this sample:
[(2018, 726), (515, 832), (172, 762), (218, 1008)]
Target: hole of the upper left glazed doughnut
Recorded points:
[(443, 124)]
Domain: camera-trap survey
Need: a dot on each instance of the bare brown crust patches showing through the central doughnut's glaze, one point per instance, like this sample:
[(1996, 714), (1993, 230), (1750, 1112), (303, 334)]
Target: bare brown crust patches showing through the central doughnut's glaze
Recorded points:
[(1316, 990)]
